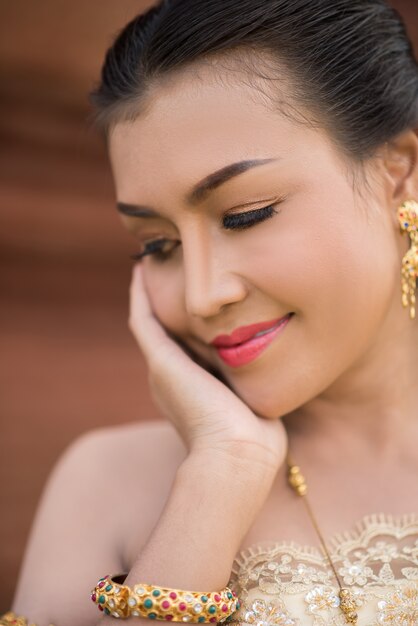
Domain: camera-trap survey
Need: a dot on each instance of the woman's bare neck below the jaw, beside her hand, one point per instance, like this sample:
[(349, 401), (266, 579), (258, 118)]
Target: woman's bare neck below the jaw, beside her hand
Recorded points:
[(371, 410)]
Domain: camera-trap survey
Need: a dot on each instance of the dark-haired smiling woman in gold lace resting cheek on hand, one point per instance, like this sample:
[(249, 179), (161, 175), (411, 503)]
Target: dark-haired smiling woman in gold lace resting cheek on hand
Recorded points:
[(265, 158)]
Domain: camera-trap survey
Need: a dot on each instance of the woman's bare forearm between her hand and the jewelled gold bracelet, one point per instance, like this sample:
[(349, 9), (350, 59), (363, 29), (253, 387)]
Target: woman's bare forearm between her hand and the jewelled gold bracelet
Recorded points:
[(213, 502)]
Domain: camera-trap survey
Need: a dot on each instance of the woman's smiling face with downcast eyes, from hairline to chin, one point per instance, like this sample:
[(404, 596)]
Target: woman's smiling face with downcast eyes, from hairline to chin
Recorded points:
[(319, 255)]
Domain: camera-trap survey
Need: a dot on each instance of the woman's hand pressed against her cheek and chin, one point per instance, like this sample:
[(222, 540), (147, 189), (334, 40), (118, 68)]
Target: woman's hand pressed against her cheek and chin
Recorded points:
[(207, 414)]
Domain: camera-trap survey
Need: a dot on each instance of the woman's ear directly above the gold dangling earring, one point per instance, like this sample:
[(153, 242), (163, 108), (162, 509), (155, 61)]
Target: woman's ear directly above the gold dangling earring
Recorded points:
[(400, 161)]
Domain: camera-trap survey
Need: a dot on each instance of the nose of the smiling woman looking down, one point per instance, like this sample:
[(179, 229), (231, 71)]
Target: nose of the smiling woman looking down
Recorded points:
[(210, 284)]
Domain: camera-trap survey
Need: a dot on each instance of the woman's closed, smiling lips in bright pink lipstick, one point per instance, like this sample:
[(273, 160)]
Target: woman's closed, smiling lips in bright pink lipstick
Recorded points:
[(242, 346)]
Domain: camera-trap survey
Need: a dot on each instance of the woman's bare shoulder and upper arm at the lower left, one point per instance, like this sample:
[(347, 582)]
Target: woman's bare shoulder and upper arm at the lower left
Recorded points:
[(101, 501)]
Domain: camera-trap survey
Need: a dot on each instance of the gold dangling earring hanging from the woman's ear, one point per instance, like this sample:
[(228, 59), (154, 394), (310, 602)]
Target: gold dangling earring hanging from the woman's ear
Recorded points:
[(408, 220)]
